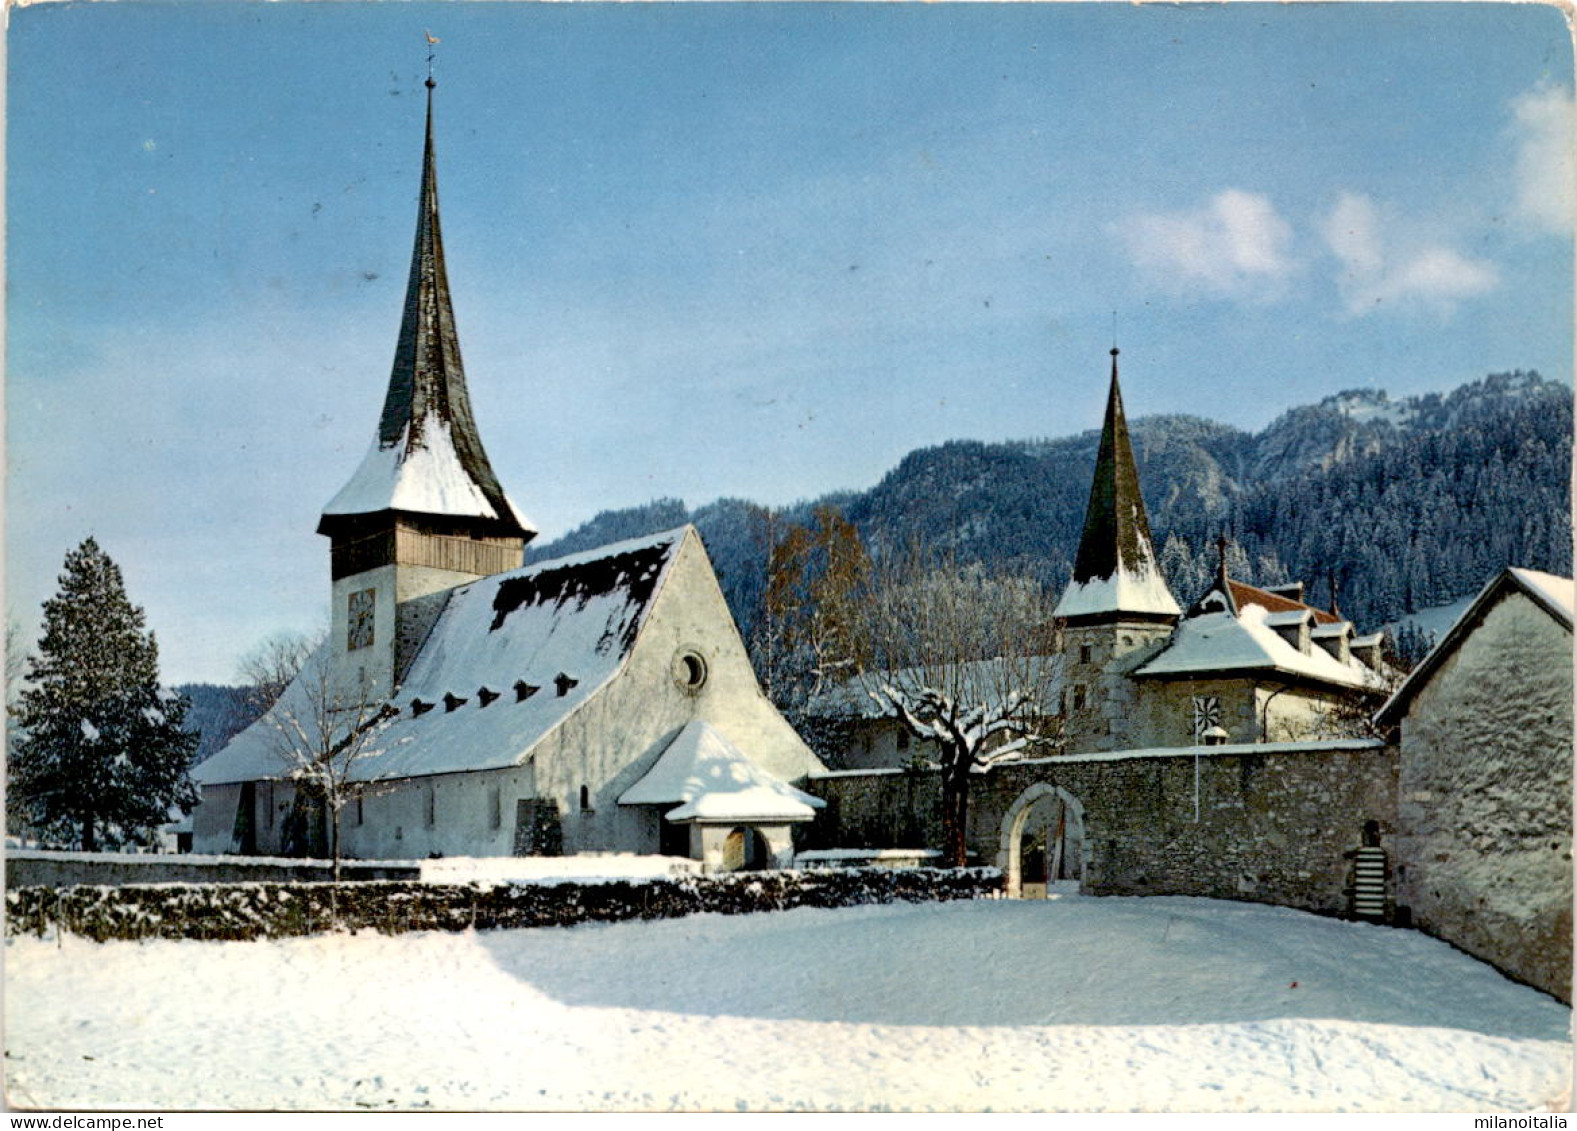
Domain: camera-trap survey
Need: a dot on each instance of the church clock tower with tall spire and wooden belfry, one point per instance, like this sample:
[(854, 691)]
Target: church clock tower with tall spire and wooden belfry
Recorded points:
[(425, 512)]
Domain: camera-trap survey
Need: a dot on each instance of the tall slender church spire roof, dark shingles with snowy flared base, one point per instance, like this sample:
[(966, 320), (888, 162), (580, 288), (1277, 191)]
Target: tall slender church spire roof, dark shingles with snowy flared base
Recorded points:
[(428, 457)]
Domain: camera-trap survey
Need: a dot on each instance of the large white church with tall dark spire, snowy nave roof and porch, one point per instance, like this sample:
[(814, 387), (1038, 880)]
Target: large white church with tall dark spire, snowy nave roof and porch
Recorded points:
[(468, 704)]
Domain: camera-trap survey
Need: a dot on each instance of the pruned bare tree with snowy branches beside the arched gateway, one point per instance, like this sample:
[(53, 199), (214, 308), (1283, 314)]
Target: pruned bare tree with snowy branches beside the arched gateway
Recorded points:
[(969, 662)]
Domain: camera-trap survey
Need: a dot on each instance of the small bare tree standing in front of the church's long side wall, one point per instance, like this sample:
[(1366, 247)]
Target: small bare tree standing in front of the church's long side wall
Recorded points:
[(324, 733)]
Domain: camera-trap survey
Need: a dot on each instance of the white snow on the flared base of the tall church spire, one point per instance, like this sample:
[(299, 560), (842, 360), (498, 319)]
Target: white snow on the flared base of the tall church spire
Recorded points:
[(425, 477)]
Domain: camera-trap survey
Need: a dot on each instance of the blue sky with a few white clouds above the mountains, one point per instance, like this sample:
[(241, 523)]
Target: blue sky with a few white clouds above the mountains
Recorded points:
[(728, 250)]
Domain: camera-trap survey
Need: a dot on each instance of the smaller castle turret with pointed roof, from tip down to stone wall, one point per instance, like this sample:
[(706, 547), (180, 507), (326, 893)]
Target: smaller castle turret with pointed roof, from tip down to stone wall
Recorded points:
[(1117, 608)]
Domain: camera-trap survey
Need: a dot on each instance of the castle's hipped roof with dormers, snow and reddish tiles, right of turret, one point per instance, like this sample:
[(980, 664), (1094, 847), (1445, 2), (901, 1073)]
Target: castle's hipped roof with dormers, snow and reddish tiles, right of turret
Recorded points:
[(1217, 640)]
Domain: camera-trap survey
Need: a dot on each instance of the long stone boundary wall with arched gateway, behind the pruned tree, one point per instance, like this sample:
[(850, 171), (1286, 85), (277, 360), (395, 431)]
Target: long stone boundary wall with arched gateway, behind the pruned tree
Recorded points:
[(1275, 823)]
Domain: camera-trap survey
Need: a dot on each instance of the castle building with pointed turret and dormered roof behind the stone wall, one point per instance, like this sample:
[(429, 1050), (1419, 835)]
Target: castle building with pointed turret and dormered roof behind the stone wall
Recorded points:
[(1243, 665)]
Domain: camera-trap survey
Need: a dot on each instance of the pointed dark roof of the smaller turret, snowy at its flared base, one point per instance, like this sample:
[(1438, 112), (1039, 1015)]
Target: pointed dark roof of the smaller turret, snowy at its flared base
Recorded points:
[(1116, 575)]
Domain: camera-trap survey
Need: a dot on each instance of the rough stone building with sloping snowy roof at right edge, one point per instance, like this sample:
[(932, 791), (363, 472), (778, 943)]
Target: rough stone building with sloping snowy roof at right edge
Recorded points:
[(1483, 849)]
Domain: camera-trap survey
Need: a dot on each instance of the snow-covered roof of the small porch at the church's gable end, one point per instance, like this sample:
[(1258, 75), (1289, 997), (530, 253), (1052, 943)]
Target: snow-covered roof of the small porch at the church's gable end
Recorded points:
[(710, 780)]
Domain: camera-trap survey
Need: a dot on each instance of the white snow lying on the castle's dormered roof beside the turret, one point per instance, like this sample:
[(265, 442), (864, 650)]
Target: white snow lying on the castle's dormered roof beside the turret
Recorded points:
[(1221, 643)]
